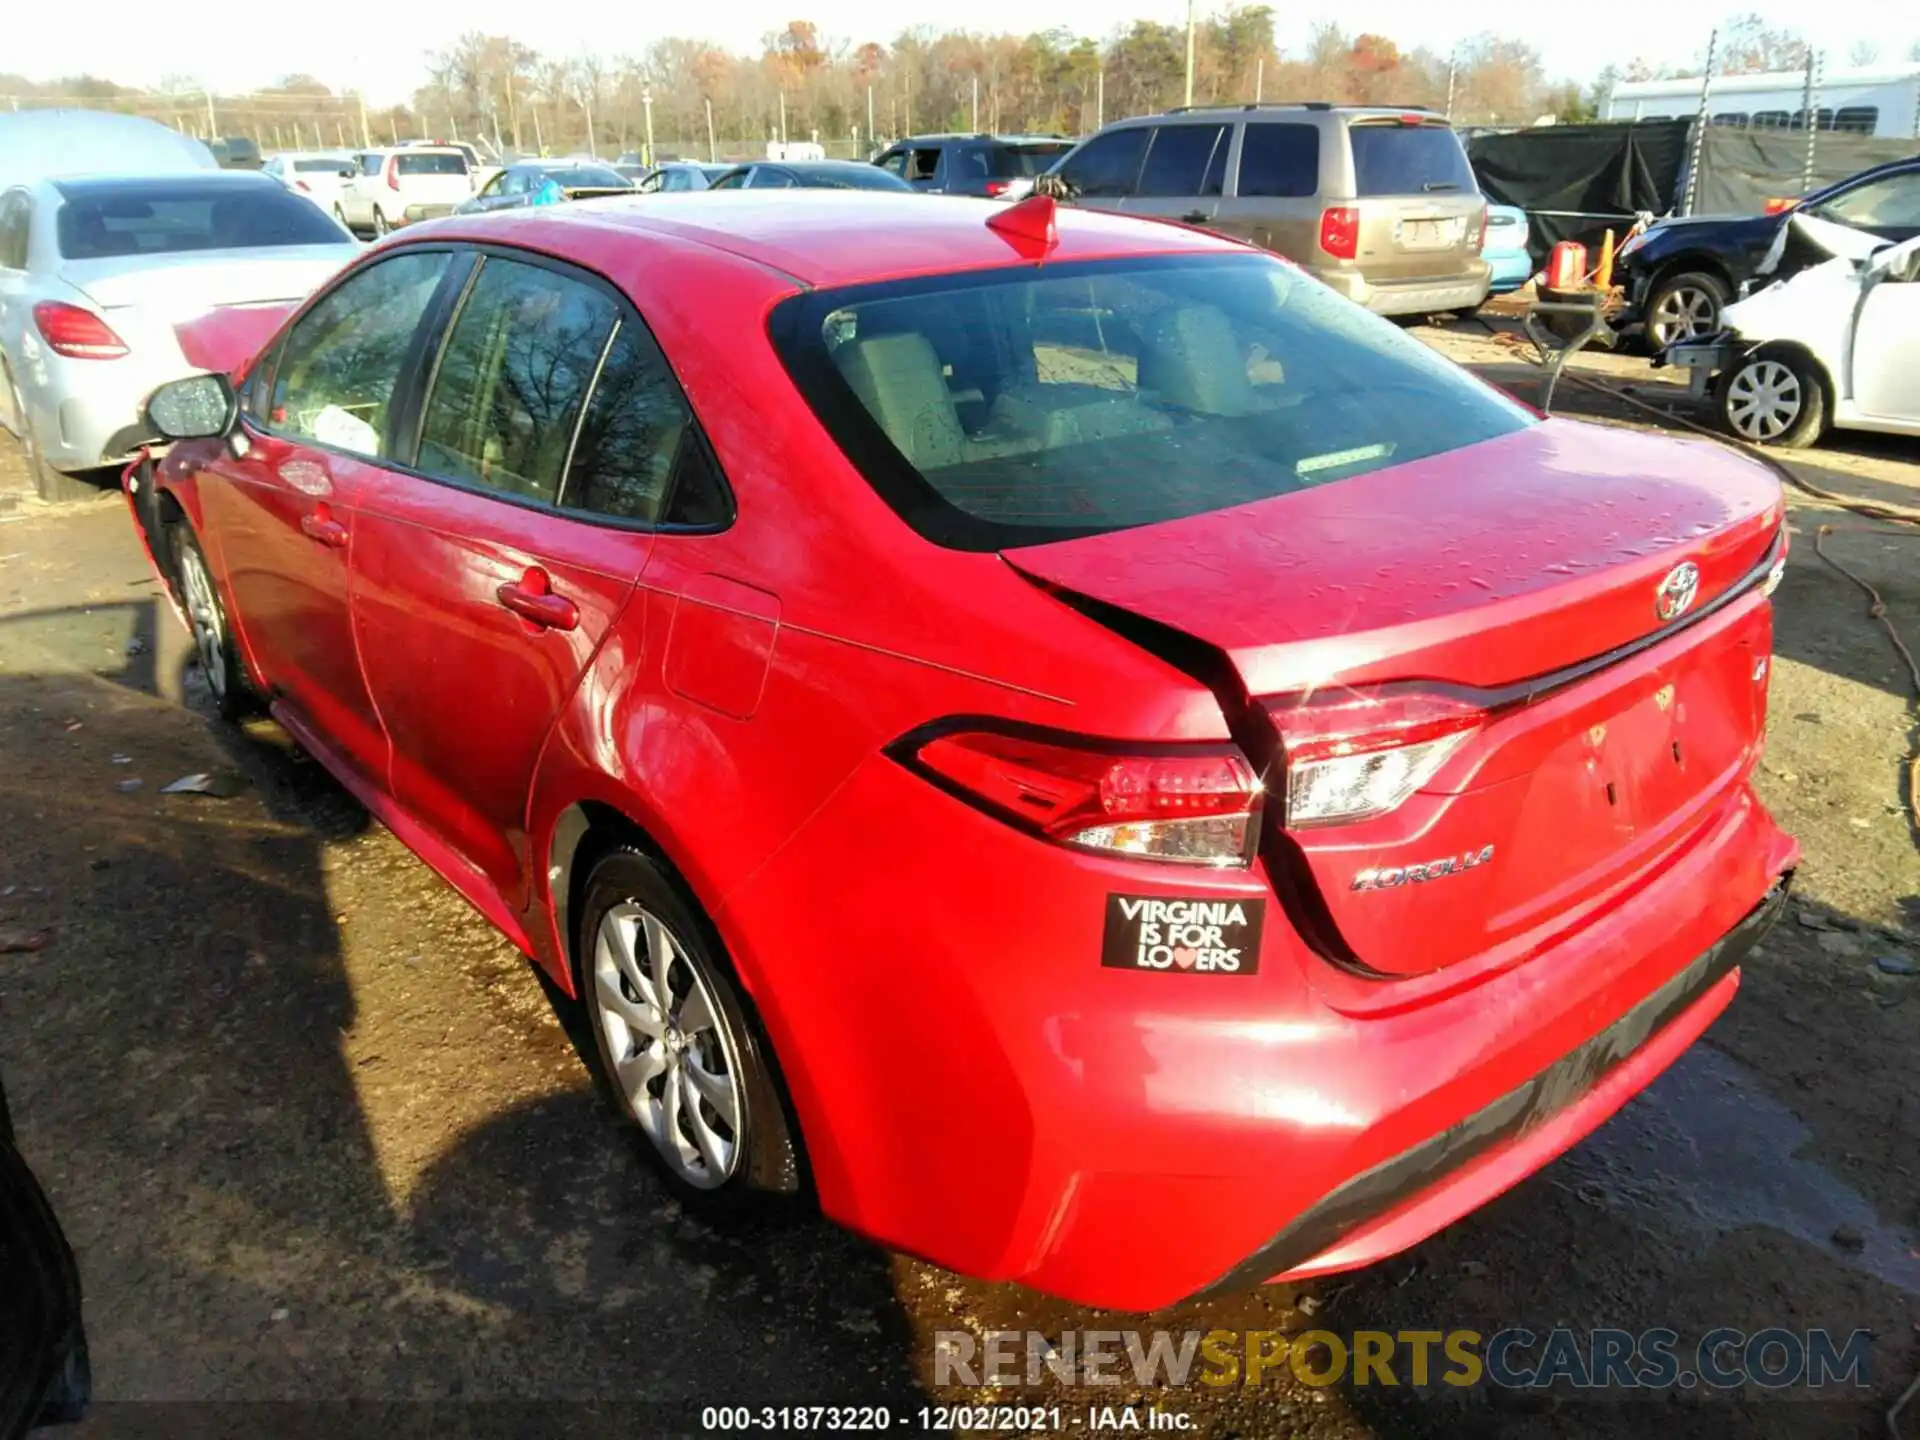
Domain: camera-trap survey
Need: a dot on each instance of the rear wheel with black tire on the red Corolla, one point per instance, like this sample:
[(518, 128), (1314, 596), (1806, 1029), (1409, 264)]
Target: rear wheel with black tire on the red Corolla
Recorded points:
[(765, 1157)]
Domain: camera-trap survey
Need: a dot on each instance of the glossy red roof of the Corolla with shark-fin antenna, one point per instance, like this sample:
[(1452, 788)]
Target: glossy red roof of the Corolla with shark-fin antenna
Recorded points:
[(828, 237)]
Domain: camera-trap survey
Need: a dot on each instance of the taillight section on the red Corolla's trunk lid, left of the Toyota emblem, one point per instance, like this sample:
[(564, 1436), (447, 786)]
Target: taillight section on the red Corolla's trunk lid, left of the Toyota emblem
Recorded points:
[(1360, 754)]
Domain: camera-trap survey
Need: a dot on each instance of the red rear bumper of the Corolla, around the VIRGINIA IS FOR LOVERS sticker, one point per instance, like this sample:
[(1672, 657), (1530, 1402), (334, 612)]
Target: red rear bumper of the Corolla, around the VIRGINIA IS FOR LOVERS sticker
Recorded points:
[(976, 1088)]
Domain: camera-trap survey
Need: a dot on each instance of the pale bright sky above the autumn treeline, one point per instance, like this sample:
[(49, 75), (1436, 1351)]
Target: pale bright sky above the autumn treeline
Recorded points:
[(381, 47)]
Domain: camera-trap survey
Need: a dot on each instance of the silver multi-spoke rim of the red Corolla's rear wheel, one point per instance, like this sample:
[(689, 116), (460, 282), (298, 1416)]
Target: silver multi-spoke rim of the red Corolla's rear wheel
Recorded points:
[(675, 1059)]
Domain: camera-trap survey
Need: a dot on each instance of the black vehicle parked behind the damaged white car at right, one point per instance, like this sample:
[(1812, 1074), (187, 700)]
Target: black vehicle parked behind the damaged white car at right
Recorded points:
[(1685, 270)]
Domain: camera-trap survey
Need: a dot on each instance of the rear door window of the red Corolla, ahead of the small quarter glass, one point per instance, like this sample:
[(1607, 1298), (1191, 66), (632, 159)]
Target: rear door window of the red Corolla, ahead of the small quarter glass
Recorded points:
[(512, 381)]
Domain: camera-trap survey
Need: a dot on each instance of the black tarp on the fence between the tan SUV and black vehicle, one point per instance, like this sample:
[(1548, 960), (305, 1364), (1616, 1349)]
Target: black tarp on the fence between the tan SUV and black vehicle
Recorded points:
[(1575, 181)]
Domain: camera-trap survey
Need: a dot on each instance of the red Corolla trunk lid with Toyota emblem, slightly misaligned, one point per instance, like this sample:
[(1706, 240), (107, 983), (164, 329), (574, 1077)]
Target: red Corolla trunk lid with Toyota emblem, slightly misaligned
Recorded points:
[(1487, 567)]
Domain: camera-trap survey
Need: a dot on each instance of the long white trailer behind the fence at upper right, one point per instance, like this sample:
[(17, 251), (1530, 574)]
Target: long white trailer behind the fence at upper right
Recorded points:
[(1850, 101)]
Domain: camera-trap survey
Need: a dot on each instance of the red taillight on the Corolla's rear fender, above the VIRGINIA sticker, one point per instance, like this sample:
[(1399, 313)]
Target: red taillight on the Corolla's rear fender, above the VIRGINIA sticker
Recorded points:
[(1193, 805)]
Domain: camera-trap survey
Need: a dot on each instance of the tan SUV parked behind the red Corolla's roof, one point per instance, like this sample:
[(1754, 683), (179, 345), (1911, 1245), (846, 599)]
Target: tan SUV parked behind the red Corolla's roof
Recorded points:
[(1378, 203)]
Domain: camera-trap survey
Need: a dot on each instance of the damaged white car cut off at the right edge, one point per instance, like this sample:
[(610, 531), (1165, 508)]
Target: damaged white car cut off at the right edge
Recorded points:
[(1835, 347)]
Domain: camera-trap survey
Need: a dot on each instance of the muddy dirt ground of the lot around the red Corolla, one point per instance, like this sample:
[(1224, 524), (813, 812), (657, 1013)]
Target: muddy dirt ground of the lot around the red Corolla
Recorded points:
[(318, 1136)]
